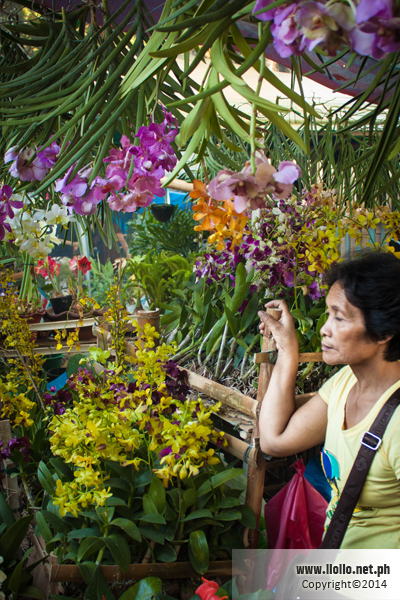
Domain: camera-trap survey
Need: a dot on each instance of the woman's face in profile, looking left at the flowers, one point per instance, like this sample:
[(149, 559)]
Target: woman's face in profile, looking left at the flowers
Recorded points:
[(344, 338)]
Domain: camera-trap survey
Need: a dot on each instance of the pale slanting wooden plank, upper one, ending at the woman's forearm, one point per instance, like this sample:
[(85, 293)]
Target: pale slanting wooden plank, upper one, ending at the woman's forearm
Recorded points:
[(221, 393)]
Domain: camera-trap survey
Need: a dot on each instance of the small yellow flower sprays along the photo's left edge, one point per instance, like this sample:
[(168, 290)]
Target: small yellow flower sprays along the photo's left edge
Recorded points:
[(20, 388)]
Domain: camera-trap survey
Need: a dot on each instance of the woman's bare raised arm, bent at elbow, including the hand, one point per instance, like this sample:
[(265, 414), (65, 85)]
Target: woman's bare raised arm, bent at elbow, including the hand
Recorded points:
[(284, 431)]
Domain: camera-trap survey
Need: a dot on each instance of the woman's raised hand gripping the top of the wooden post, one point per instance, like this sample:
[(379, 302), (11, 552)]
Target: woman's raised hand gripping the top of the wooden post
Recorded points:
[(283, 331)]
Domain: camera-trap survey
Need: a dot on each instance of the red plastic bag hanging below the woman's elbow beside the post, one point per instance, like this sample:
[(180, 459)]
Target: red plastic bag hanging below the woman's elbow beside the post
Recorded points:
[(294, 519)]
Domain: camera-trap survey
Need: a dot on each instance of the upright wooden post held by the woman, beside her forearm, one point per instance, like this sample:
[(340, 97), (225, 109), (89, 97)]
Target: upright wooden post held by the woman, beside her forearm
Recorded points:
[(256, 476)]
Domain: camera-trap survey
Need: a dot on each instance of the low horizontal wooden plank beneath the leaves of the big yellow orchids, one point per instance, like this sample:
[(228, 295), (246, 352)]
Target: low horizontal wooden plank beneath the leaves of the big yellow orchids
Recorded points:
[(71, 573)]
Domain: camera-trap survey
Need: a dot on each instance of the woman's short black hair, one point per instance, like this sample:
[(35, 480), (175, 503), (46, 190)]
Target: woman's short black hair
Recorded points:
[(372, 283)]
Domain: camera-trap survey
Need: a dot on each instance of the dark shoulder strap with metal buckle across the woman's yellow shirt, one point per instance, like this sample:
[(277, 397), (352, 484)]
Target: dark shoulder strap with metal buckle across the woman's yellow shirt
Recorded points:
[(370, 442)]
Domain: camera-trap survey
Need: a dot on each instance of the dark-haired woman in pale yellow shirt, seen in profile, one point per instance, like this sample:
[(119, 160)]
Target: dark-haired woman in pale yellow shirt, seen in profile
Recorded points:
[(362, 332)]
